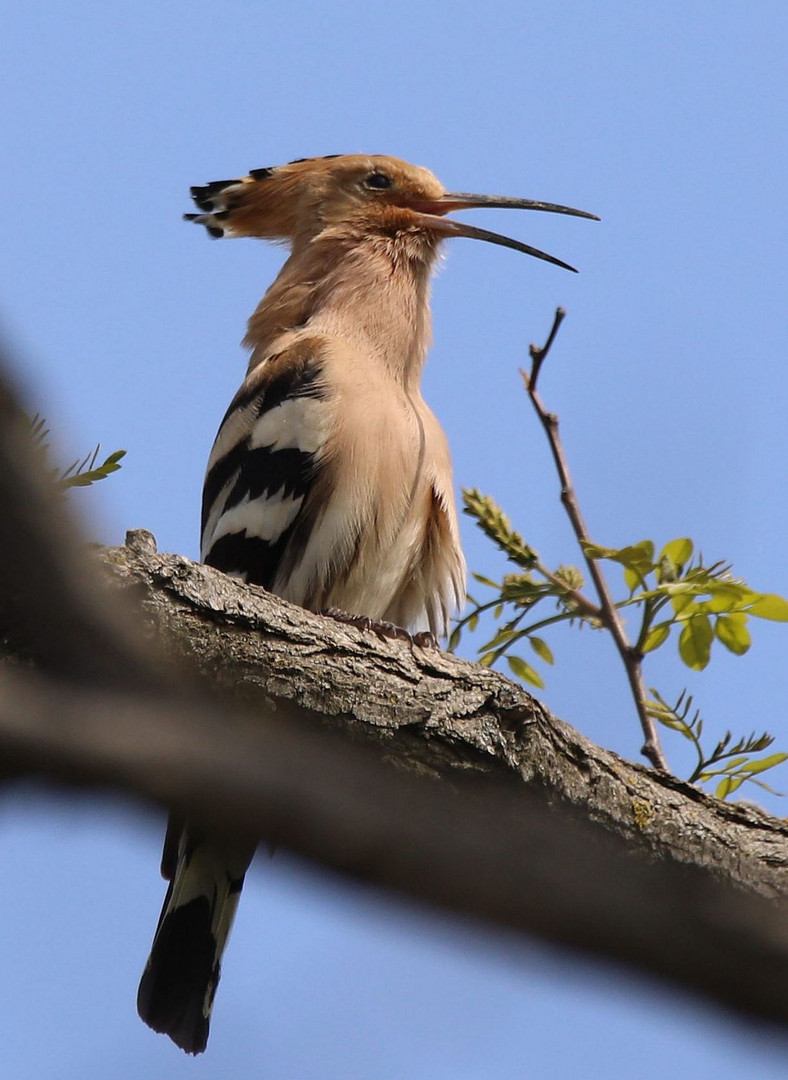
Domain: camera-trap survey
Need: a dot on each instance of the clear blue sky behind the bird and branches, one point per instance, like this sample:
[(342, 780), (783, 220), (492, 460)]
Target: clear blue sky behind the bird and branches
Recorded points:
[(670, 376)]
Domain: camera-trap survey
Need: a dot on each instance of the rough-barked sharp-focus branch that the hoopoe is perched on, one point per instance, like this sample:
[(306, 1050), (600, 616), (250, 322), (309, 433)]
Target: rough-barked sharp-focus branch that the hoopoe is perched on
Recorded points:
[(438, 714)]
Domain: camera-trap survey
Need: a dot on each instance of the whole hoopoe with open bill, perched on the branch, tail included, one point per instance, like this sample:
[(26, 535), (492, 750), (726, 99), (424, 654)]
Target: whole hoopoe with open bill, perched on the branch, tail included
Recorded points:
[(330, 482)]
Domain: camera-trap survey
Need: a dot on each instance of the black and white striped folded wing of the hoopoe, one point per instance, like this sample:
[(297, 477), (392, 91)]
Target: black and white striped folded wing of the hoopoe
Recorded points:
[(268, 455)]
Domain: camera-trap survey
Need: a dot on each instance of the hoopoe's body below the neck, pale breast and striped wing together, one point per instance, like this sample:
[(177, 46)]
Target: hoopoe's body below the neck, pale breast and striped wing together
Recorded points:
[(331, 487)]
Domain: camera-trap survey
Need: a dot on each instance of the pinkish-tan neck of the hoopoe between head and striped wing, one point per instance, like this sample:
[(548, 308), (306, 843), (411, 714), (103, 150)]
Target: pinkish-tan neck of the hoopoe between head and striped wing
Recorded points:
[(370, 292)]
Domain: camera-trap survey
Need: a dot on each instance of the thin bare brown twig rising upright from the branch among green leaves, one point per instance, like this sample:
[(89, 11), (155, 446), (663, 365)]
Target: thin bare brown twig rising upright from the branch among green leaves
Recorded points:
[(632, 659)]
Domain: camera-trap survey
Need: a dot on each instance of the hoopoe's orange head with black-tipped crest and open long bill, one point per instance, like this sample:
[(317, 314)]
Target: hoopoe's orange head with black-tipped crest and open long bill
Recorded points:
[(369, 195)]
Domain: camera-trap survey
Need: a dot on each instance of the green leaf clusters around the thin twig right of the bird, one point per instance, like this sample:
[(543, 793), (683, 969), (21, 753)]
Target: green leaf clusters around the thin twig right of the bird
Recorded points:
[(673, 591)]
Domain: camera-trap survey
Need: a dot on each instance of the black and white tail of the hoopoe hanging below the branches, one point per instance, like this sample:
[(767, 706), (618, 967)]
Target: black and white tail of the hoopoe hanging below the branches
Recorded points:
[(176, 992)]
